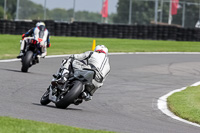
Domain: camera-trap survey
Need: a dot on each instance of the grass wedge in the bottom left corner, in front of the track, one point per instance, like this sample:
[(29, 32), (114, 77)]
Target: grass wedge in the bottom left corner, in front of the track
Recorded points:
[(13, 125)]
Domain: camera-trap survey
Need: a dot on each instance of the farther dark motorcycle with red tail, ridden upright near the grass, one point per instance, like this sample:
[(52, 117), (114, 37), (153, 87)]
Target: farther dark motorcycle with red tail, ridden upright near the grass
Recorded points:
[(31, 52)]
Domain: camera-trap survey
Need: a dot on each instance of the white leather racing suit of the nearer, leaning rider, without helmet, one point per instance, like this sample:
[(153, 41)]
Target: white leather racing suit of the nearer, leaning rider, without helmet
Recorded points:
[(90, 60)]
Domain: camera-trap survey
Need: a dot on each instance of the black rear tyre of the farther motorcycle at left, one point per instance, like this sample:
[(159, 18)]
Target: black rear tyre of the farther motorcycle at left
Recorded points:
[(26, 61)]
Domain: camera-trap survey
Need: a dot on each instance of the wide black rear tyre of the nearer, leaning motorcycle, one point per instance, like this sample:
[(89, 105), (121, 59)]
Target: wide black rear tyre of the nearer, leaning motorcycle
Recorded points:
[(69, 98)]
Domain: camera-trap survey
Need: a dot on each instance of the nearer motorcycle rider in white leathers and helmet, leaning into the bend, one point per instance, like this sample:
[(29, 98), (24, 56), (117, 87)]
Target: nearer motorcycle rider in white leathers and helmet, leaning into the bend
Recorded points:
[(96, 60)]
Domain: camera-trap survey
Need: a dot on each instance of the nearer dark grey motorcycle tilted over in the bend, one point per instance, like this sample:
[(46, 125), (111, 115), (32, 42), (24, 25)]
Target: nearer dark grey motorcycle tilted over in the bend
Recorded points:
[(71, 91)]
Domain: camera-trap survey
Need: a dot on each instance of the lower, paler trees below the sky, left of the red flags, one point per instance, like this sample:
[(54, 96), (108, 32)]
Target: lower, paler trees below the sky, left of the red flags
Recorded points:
[(30, 10)]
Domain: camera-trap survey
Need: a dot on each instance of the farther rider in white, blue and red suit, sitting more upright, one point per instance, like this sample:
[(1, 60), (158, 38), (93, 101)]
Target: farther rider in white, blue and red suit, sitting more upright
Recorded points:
[(39, 33)]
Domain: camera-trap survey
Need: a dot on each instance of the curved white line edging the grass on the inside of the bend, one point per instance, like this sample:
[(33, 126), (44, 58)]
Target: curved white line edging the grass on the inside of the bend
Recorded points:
[(162, 105)]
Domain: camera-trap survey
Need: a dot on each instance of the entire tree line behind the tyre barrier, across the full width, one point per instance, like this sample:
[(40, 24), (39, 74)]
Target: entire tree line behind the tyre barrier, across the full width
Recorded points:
[(143, 12)]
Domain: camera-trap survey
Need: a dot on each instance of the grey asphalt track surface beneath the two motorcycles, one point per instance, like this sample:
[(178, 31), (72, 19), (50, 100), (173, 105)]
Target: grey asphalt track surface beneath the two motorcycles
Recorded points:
[(127, 102)]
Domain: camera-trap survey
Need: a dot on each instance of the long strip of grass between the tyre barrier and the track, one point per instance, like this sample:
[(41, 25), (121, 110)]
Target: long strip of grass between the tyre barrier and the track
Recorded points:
[(9, 45)]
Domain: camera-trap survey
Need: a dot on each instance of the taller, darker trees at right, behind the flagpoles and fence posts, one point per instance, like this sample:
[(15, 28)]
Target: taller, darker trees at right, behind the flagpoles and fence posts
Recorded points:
[(143, 12)]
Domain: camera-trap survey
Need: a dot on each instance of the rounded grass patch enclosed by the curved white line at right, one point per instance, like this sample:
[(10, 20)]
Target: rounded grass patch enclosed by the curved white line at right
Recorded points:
[(186, 104)]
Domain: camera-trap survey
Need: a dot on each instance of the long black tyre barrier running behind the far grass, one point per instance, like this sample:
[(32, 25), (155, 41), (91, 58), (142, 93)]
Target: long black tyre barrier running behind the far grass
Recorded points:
[(92, 29)]
